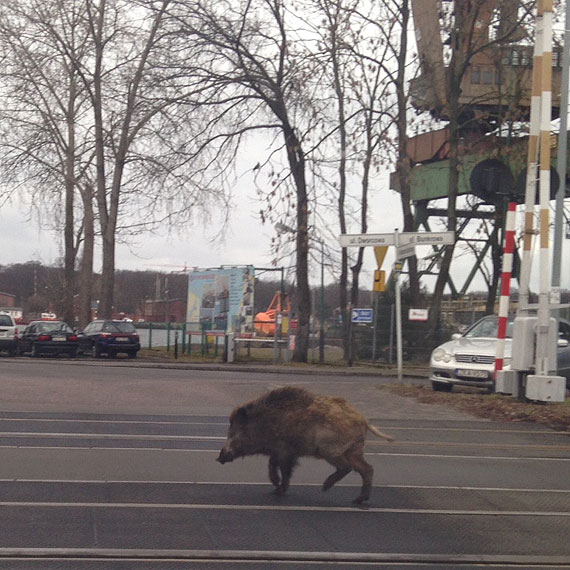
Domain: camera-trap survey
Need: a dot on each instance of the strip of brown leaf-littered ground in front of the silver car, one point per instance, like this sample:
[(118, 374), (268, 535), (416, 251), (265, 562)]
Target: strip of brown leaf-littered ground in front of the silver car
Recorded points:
[(490, 406)]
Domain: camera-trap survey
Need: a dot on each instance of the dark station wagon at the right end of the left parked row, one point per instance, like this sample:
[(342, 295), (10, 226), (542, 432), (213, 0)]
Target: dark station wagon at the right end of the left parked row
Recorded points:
[(109, 337)]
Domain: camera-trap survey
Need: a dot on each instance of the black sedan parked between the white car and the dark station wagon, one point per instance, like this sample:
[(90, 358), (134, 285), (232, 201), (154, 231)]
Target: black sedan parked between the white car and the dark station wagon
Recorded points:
[(48, 337)]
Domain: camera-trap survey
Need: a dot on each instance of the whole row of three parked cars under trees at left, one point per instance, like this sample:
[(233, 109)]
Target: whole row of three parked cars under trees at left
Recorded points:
[(109, 337)]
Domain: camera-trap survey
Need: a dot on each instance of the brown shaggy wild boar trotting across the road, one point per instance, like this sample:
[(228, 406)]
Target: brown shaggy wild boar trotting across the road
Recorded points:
[(288, 423)]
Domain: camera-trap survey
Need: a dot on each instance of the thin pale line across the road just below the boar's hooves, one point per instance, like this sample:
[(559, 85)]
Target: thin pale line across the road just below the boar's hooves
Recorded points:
[(295, 508)]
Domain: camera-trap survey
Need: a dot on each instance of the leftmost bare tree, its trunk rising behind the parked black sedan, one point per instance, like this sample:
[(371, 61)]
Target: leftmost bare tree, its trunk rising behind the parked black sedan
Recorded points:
[(42, 113)]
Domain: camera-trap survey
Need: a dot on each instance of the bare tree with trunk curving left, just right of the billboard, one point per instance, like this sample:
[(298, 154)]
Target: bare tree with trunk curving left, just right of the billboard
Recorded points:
[(258, 80)]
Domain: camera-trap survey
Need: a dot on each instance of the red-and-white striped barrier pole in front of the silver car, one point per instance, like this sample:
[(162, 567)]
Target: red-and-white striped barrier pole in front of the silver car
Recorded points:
[(506, 274)]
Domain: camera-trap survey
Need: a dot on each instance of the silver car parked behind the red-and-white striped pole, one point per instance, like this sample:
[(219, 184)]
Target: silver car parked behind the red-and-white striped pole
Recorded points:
[(469, 358)]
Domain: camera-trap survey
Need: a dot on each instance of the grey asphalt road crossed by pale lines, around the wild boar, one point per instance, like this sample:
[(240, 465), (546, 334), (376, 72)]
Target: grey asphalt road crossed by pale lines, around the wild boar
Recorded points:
[(112, 466)]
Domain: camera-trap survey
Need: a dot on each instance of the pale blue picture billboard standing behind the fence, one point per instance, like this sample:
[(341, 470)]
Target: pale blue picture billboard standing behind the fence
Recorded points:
[(221, 299)]
